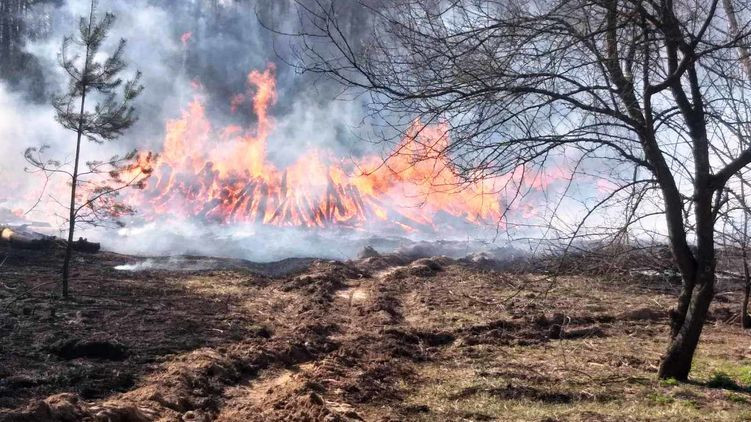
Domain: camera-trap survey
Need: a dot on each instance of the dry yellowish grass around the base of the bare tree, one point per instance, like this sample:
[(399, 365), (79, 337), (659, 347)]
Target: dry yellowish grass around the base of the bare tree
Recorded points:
[(608, 378)]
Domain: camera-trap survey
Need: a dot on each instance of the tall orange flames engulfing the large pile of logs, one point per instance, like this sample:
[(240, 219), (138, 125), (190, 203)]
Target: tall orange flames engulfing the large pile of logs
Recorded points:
[(223, 175)]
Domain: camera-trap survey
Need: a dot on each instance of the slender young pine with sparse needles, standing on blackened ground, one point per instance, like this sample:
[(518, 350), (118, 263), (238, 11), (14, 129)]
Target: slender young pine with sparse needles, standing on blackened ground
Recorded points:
[(92, 75)]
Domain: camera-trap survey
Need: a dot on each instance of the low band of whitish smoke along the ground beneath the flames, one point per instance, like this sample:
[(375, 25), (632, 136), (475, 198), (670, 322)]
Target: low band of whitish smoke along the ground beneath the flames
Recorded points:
[(270, 244)]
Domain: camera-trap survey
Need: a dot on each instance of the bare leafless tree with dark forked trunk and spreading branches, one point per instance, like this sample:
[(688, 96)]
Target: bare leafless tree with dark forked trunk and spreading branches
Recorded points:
[(642, 86)]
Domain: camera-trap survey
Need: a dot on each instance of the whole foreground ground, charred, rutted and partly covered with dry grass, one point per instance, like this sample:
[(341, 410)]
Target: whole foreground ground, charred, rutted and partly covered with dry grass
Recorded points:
[(380, 339)]
